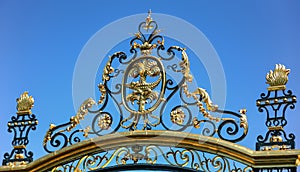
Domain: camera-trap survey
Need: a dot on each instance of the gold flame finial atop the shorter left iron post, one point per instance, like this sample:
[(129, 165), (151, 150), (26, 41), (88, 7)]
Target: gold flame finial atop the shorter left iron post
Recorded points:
[(24, 103)]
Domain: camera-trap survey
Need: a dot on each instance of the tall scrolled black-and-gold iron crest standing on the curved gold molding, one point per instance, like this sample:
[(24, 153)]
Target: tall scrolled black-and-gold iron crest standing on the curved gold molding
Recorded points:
[(151, 89)]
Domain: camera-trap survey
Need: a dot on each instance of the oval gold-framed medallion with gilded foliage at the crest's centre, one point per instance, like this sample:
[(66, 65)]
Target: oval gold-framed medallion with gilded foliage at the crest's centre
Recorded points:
[(149, 74)]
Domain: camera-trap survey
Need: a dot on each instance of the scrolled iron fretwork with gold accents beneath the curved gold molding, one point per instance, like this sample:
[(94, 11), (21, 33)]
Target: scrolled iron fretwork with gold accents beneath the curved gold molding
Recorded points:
[(147, 155)]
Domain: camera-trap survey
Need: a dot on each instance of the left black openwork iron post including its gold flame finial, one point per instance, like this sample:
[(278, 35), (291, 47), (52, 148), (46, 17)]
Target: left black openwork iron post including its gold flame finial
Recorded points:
[(21, 125)]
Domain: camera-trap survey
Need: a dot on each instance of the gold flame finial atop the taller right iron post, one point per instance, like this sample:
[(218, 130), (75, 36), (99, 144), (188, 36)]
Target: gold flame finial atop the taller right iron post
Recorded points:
[(277, 78)]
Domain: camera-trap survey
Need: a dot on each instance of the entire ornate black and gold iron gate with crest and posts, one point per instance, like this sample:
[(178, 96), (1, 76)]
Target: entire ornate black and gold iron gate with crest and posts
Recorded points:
[(147, 119)]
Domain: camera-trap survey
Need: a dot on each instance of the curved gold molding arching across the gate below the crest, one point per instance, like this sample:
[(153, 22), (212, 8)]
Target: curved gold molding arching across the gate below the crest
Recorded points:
[(255, 159)]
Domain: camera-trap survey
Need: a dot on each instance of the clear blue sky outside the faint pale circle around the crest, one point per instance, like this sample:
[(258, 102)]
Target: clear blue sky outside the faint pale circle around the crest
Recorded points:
[(41, 41)]
